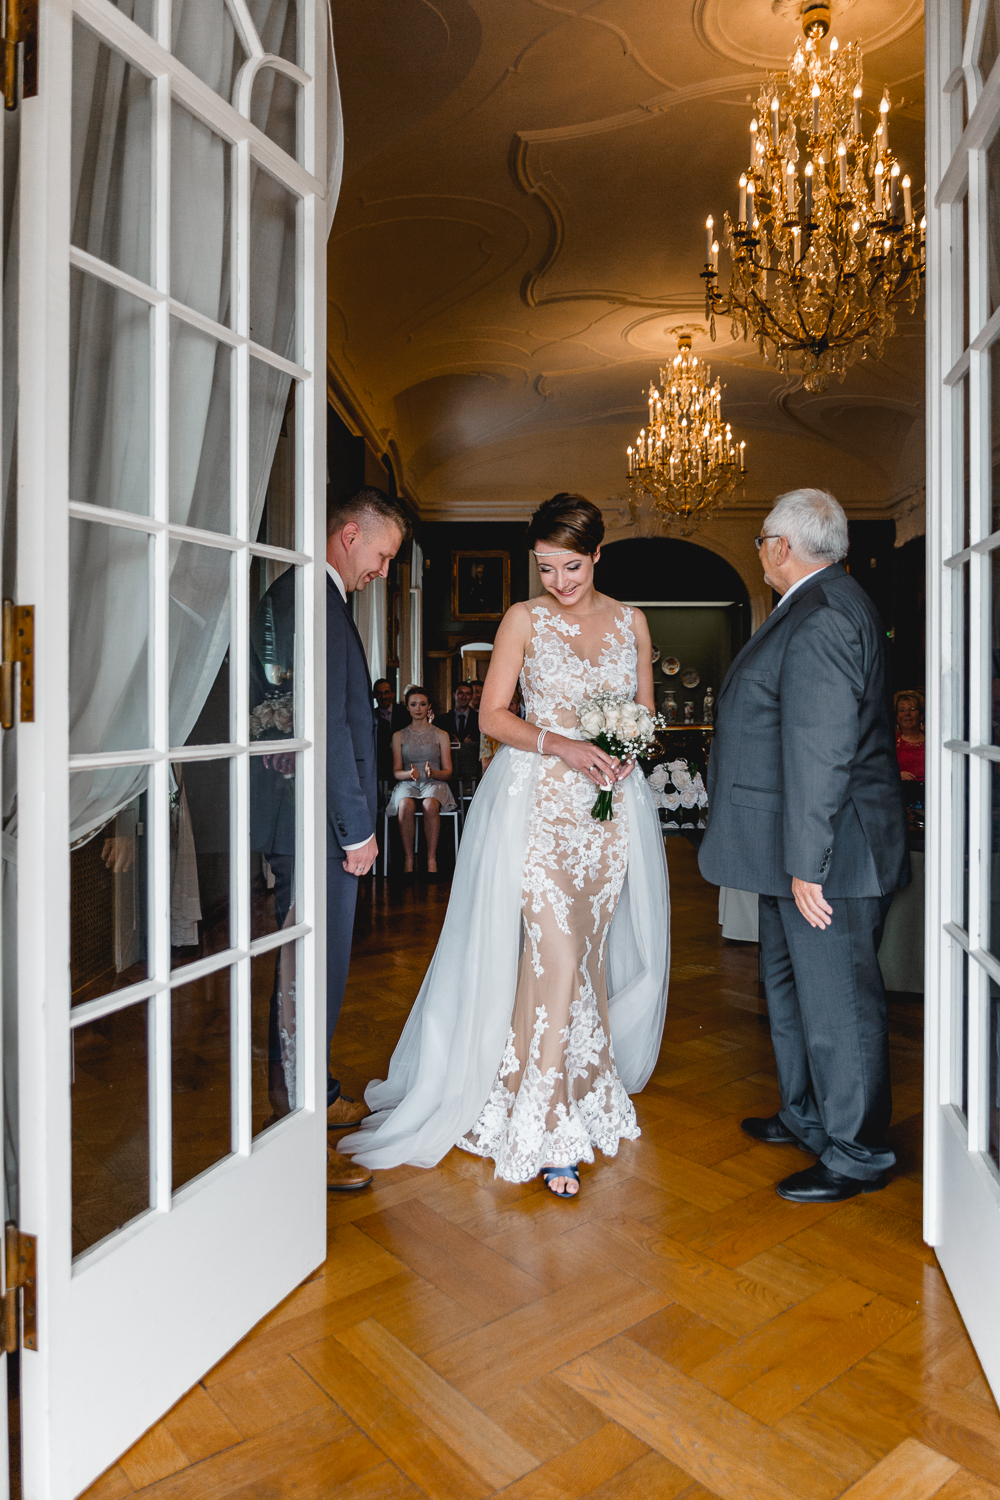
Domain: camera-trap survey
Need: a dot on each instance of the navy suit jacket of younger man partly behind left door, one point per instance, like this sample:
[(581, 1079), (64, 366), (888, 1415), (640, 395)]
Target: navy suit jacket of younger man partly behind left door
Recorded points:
[(352, 782)]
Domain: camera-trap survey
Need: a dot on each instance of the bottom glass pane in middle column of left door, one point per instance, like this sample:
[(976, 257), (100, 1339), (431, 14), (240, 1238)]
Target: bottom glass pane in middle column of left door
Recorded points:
[(202, 1075)]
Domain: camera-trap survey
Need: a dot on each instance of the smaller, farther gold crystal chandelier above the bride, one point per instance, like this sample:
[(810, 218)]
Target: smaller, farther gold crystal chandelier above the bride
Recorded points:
[(686, 461)]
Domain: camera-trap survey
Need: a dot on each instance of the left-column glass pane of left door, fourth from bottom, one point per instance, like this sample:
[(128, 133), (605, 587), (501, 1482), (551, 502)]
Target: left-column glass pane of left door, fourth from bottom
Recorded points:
[(110, 392)]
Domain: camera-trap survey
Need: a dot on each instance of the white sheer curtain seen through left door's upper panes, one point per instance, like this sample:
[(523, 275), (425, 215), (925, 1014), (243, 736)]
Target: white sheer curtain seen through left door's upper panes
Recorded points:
[(110, 451)]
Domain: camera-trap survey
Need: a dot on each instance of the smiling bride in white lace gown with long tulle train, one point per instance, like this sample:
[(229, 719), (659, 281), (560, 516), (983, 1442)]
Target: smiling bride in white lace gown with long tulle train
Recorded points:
[(546, 997)]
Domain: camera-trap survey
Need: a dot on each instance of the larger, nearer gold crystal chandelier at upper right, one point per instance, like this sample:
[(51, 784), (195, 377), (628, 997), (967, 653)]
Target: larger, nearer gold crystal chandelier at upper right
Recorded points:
[(825, 247)]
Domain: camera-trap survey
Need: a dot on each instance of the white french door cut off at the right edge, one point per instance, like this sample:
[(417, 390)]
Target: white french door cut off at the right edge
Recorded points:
[(963, 679)]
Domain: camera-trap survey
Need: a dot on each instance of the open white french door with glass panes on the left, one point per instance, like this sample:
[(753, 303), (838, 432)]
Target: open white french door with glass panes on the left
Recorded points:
[(172, 469)]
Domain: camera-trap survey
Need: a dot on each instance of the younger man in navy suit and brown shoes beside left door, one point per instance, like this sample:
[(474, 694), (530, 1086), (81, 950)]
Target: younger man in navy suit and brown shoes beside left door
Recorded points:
[(364, 536)]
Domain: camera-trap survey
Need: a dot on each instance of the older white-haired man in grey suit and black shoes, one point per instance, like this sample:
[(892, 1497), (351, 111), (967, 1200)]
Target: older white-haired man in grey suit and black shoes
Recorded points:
[(806, 808)]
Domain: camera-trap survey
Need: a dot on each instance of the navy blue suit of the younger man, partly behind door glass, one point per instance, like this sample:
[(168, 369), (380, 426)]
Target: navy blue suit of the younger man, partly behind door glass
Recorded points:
[(352, 781)]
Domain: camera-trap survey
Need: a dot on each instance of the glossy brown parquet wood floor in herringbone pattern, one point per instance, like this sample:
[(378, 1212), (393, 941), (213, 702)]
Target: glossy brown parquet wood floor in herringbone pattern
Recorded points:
[(678, 1333)]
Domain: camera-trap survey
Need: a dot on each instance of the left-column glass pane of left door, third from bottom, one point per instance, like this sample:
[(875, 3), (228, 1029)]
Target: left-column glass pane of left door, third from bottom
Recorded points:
[(109, 638)]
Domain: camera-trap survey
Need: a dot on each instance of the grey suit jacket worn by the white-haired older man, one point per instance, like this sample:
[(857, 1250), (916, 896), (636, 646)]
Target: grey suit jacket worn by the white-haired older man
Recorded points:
[(803, 778)]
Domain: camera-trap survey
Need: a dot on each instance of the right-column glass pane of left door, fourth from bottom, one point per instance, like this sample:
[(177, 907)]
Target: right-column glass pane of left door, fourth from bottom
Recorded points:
[(274, 431)]
